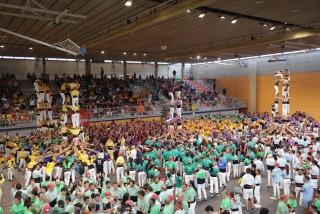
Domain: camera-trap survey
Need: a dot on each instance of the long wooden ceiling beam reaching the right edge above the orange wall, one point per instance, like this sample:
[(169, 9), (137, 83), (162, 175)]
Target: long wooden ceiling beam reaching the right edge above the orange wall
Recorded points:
[(281, 37)]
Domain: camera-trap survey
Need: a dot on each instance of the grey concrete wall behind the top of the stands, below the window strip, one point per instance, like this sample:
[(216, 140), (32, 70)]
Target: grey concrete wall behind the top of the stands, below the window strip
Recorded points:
[(21, 68)]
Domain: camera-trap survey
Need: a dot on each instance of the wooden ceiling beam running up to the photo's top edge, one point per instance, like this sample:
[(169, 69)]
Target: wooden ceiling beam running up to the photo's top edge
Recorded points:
[(150, 20)]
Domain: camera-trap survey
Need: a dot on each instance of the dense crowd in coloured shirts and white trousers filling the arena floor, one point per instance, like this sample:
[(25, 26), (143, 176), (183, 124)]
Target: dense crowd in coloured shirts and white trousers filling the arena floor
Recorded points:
[(145, 167)]
